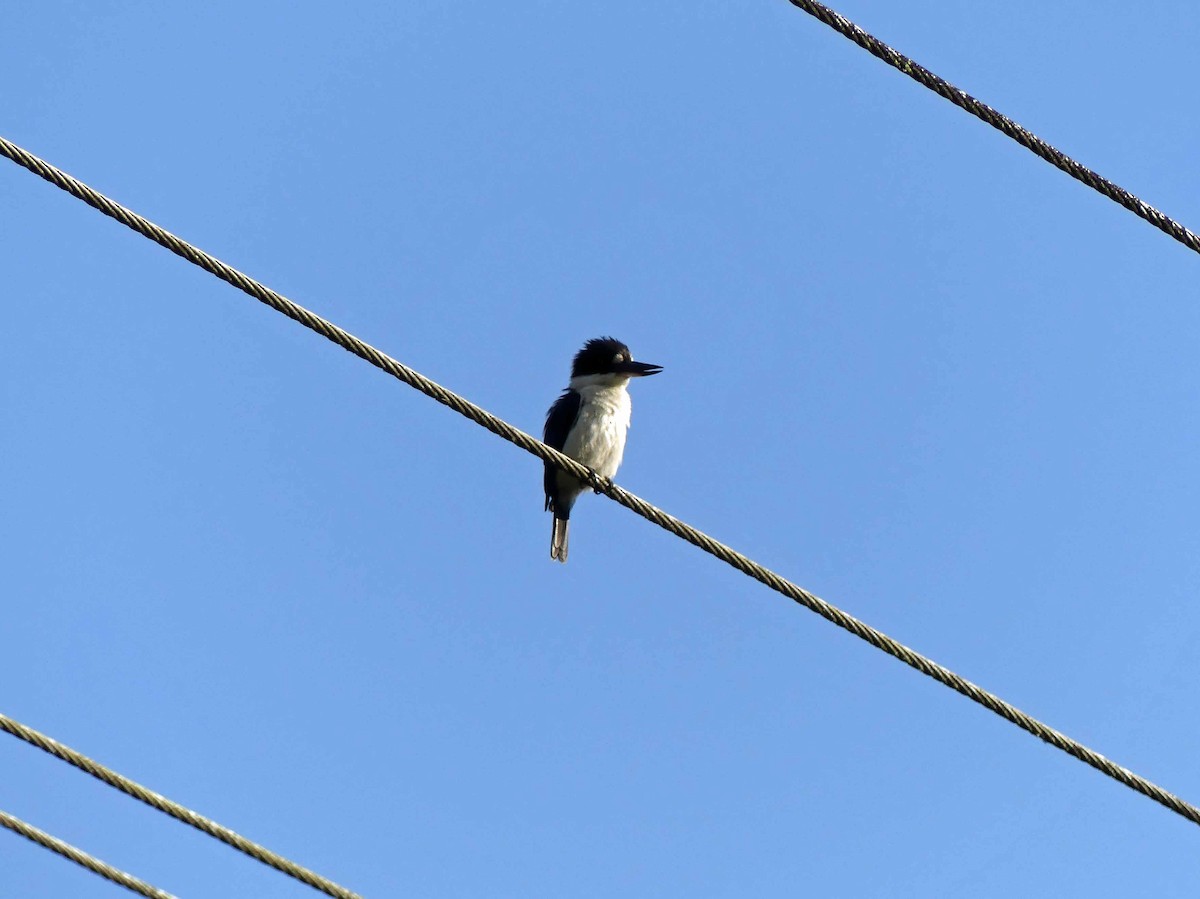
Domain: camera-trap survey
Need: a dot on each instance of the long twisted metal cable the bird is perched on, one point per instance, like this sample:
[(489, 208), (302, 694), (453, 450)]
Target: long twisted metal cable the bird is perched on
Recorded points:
[(602, 486)]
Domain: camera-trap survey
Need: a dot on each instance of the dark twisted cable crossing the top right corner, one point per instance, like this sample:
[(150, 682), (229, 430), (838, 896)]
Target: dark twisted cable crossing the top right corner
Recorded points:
[(921, 75)]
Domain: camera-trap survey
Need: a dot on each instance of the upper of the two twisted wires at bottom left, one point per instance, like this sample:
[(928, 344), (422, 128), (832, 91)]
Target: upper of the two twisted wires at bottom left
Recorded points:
[(175, 810)]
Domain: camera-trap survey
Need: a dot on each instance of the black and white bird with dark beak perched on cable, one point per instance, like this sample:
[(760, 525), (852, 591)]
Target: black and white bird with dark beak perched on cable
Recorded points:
[(589, 423)]
